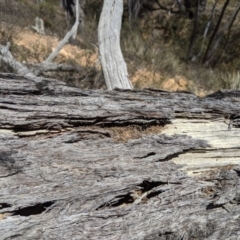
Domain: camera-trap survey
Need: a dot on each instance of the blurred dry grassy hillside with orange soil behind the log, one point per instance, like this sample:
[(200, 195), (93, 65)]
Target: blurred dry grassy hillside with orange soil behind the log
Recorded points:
[(156, 46)]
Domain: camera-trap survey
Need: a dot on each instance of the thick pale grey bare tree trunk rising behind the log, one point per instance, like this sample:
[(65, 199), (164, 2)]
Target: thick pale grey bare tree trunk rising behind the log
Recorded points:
[(113, 64)]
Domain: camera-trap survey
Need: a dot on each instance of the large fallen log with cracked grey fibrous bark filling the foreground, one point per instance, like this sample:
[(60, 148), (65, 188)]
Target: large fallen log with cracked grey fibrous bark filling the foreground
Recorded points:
[(83, 164)]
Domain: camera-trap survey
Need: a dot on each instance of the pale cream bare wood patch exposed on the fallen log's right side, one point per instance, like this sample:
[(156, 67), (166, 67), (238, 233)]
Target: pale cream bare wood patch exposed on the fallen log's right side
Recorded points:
[(224, 144)]
